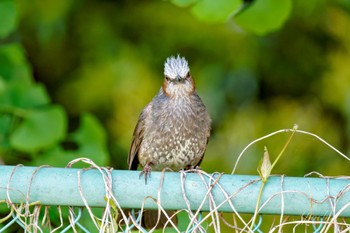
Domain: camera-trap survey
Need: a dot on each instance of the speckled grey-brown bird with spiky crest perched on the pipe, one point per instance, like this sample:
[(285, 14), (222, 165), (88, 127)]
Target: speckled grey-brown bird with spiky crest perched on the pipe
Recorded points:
[(172, 131)]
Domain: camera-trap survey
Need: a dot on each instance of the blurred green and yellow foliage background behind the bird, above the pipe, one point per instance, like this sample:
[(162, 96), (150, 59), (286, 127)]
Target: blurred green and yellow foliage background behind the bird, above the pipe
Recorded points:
[(76, 74)]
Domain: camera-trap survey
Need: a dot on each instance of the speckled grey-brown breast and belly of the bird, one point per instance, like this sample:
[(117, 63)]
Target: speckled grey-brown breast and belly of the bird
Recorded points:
[(175, 136)]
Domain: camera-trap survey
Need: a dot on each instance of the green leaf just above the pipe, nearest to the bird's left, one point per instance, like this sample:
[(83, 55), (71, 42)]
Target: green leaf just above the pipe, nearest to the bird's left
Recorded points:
[(91, 138)]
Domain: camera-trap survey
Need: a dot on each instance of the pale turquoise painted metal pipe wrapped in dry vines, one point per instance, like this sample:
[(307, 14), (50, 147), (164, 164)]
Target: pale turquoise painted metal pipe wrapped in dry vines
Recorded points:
[(59, 186)]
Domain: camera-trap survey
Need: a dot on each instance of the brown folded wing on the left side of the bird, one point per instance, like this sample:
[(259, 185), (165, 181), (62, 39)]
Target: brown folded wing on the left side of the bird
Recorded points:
[(137, 139)]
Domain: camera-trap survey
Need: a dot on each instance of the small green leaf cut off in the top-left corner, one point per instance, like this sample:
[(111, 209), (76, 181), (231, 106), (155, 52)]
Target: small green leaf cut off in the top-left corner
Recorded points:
[(8, 17)]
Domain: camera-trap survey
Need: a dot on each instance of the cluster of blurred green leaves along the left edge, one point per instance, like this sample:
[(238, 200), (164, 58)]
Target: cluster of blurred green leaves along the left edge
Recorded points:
[(32, 129)]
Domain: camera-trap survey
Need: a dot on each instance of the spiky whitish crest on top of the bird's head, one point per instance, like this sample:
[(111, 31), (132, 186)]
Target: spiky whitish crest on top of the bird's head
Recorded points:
[(176, 66)]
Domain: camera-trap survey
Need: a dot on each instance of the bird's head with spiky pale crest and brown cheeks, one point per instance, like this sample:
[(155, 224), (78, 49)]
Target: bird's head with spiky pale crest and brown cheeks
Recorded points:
[(178, 81)]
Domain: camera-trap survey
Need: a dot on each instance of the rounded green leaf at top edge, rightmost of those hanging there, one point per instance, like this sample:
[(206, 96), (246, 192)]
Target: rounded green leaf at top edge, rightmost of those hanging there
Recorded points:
[(264, 16)]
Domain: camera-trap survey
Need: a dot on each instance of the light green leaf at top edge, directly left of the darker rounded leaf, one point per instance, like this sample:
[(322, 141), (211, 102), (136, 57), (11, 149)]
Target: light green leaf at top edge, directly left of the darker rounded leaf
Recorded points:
[(215, 11)]
